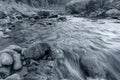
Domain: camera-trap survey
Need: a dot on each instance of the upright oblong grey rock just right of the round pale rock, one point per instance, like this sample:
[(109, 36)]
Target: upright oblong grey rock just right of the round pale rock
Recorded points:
[(17, 62)]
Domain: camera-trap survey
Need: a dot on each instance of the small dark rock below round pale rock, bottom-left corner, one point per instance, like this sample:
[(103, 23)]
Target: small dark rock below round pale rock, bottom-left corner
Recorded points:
[(4, 72)]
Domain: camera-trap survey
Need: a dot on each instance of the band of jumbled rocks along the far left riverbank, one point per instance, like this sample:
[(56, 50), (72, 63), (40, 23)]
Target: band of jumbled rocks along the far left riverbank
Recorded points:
[(15, 15)]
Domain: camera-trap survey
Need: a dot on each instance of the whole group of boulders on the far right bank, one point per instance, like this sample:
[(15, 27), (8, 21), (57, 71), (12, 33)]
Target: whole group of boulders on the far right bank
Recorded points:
[(94, 8)]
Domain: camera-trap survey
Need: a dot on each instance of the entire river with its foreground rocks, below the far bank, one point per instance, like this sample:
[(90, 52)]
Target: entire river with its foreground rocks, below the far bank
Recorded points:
[(70, 48)]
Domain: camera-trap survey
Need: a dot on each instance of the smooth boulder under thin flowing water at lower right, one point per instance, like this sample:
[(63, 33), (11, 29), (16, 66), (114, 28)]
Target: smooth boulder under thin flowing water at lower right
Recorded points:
[(92, 67)]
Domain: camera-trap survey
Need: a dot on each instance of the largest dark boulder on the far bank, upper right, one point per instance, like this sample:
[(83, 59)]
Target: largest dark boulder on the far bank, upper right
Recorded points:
[(79, 6)]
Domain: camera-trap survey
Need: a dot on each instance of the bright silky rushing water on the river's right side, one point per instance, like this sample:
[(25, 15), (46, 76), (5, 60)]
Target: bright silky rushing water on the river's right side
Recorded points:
[(91, 47)]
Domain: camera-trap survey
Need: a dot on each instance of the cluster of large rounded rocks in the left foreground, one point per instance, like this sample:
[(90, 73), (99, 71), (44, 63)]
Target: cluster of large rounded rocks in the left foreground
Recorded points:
[(14, 58)]
